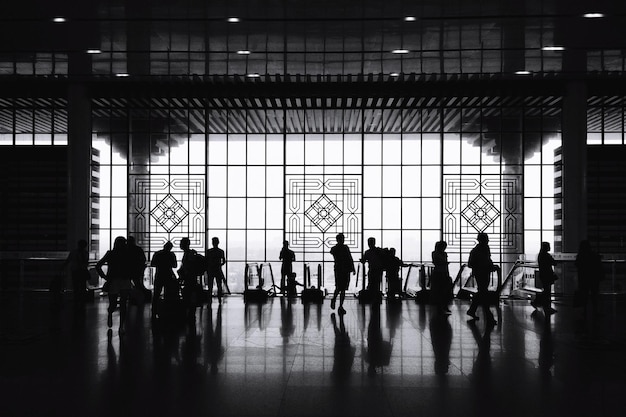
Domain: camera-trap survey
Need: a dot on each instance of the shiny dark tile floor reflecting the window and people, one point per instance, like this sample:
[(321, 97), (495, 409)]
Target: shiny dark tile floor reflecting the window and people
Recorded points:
[(285, 358)]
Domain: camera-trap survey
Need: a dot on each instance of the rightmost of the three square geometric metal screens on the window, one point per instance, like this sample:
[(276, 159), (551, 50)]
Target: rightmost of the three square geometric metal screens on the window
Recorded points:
[(483, 203)]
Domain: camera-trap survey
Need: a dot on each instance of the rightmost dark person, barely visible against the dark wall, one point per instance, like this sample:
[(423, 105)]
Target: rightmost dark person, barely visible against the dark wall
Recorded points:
[(590, 273)]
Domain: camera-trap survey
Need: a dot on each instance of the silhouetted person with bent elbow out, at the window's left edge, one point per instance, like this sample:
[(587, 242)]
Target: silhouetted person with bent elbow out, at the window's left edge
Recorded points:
[(118, 279)]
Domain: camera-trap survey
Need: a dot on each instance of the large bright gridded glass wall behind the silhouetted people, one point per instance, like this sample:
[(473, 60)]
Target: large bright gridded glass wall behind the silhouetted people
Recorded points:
[(253, 178)]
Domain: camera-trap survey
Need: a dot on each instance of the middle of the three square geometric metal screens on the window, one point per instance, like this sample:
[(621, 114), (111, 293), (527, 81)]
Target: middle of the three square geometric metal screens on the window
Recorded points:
[(317, 207)]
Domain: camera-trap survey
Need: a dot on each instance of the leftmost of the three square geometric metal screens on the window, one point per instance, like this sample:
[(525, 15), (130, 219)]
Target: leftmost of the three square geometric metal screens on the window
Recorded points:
[(167, 207)]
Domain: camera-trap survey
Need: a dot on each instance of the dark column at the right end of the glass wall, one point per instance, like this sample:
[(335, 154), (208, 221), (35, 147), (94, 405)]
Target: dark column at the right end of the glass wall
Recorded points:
[(574, 159)]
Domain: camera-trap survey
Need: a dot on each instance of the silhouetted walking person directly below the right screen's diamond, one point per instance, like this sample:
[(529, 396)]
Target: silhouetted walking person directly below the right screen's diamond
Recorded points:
[(482, 267)]
